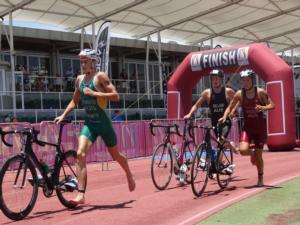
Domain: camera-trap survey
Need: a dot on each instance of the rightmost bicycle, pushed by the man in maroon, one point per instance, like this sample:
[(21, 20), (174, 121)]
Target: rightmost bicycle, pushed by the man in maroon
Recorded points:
[(207, 162)]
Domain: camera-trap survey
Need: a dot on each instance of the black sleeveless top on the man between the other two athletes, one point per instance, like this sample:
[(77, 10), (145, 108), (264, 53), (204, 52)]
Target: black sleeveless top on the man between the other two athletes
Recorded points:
[(217, 105)]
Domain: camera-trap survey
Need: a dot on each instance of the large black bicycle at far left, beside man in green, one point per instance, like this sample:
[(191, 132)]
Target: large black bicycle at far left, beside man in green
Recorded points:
[(19, 180)]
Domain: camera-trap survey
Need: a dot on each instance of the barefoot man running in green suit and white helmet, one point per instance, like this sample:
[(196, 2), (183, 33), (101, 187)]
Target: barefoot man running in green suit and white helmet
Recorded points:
[(94, 90)]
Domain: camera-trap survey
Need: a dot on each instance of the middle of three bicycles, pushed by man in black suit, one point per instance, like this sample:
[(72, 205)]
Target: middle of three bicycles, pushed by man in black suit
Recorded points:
[(166, 159)]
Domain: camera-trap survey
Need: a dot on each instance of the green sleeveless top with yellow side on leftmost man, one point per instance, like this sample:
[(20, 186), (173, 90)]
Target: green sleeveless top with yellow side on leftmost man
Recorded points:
[(94, 106)]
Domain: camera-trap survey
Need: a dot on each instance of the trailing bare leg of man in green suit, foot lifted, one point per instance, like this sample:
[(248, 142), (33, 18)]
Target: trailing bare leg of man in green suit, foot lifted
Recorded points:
[(122, 160)]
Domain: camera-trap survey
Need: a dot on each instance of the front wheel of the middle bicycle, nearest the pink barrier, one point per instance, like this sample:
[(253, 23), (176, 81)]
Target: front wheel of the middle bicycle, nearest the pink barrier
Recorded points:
[(161, 166)]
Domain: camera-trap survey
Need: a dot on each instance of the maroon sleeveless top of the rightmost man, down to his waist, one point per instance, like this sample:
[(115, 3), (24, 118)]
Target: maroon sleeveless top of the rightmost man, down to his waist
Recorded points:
[(252, 118)]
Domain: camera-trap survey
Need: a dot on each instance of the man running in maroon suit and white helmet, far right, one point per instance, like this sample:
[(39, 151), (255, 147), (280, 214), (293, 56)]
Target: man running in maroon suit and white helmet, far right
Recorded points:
[(254, 102)]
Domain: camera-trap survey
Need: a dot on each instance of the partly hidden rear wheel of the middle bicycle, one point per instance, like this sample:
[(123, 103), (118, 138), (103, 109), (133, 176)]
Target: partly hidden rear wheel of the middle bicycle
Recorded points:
[(188, 153)]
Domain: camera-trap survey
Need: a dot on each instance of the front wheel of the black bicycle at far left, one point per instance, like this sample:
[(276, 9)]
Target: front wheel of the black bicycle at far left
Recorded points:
[(18, 187)]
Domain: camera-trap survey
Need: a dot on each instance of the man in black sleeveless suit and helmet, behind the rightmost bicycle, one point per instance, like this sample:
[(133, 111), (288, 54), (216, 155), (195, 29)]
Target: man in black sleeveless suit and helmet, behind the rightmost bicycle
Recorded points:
[(217, 98)]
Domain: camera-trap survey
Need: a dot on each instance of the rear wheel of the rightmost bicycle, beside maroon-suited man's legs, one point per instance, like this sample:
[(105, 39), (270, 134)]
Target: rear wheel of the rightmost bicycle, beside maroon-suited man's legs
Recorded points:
[(225, 159)]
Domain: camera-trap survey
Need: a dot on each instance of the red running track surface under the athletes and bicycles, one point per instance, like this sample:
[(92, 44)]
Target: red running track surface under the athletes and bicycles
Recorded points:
[(108, 200)]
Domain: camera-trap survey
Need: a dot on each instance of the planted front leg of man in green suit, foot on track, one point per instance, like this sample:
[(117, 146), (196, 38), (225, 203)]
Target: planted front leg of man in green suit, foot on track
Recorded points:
[(84, 146)]
